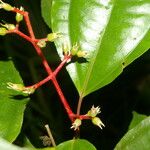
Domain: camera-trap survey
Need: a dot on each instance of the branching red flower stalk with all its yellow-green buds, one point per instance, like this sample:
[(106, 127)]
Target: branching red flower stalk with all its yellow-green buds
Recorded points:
[(68, 52)]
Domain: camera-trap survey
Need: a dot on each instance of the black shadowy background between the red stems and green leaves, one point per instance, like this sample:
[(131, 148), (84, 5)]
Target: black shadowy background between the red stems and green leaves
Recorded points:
[(128, 93)]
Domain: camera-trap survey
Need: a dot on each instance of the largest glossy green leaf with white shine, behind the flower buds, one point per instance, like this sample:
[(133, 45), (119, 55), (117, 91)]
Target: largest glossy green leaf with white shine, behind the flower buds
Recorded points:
[(113, 32)]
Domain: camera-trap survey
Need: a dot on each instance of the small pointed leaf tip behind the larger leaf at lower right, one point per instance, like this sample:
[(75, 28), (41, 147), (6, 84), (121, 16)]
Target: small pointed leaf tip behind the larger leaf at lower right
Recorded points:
[(137, 118)]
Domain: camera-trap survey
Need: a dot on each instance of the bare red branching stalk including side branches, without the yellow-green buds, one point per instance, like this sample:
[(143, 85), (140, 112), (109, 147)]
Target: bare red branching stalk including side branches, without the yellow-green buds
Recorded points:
[(51, 74)]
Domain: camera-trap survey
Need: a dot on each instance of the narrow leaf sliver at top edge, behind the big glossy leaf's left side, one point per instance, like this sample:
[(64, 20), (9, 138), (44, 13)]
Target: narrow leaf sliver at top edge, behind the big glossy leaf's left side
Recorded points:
[(46, 6)]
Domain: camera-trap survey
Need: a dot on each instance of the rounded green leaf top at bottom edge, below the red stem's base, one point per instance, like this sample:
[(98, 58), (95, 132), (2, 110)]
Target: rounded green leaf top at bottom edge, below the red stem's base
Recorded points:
[(78, 144)]
